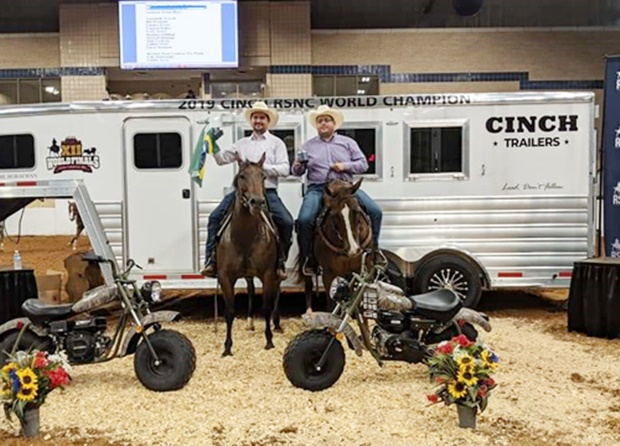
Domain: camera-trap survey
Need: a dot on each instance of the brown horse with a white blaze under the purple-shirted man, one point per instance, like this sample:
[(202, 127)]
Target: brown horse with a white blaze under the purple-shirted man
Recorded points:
[(342, 233)]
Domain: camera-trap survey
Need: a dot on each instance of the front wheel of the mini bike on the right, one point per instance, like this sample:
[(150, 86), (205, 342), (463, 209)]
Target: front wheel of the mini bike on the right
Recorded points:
[(302, 354)]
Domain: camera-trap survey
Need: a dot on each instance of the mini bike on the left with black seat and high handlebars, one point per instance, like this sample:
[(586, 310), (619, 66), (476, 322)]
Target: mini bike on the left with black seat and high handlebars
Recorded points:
[(163, 359)]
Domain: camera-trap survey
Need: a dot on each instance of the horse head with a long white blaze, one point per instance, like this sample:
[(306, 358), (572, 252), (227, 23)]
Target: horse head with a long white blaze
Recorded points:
[(346, 227)]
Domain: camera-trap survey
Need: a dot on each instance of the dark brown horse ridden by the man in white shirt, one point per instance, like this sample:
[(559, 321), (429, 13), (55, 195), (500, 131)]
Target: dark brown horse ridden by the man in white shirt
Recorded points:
[(248, 247)]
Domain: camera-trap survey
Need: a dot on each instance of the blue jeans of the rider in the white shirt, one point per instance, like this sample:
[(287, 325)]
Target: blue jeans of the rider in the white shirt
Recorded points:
[(281, 217)]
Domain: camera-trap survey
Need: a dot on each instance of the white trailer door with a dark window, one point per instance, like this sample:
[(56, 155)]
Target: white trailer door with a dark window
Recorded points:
[(159, 217)]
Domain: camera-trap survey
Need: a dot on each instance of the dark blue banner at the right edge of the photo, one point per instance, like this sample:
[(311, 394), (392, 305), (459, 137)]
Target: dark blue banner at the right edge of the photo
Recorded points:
[(611, 158)]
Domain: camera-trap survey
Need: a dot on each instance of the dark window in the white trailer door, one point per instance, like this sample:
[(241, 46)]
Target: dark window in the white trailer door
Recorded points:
[(157, 150)]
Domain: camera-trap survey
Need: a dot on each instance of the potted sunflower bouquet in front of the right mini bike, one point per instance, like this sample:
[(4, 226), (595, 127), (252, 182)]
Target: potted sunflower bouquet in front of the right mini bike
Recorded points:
[(462, 370)]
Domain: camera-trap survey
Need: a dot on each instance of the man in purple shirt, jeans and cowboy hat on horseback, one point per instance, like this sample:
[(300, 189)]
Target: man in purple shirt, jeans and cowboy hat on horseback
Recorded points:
[(330, 156)]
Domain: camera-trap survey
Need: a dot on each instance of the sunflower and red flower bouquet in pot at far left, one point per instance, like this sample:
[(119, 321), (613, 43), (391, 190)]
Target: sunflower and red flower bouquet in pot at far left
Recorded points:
[(26, 379)]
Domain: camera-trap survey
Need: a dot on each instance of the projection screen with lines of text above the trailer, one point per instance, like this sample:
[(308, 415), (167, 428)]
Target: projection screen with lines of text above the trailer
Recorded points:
[(161, 34)]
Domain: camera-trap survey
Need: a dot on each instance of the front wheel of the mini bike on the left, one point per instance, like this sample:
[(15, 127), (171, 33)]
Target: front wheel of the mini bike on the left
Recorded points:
[(178, 361)]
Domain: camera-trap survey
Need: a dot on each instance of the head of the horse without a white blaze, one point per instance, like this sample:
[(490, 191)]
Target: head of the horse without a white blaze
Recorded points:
[(250, 185)]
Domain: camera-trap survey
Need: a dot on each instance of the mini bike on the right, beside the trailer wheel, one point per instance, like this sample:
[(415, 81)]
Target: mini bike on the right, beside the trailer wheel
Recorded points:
[(404, 328)]
